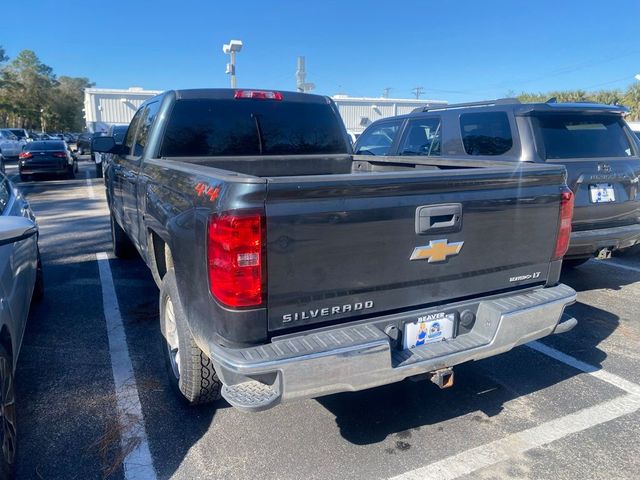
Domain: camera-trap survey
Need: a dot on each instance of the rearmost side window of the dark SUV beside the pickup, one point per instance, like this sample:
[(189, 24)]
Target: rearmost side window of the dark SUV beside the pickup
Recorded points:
[(487, 133)]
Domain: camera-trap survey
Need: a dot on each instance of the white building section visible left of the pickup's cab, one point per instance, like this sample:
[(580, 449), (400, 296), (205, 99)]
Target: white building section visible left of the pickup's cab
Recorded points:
[(108, 106)]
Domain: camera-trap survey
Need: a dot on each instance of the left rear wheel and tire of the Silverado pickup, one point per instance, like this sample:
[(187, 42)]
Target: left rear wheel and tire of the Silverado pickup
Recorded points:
[(190, 371)]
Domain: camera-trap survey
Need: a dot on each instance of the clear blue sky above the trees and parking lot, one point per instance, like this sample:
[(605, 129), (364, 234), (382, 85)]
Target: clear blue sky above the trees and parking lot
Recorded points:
[(457, 50)]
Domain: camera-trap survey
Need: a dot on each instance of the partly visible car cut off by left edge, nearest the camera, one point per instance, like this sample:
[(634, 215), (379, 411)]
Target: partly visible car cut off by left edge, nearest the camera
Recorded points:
[(20, 263)]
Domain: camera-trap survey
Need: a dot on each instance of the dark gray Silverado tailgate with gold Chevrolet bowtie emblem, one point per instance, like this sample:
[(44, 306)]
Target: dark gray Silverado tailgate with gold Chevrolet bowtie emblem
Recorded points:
[(339, 247)]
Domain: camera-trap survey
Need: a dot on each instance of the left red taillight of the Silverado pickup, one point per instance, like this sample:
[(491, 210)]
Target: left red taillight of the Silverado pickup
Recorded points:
[(235, 256)]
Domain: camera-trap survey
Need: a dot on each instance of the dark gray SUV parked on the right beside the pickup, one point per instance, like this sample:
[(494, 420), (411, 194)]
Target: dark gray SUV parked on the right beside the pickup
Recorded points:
[(593, 142)]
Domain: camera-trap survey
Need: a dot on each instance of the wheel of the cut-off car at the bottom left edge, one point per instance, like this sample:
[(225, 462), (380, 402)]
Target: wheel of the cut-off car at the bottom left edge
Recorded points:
[(8, 438)]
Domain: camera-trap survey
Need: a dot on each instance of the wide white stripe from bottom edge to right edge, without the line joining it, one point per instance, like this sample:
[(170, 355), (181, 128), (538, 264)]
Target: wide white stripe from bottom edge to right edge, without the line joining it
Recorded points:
[(504, 449)]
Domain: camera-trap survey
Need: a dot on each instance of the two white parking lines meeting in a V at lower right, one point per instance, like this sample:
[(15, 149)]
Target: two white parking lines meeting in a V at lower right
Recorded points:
[(502, 450)]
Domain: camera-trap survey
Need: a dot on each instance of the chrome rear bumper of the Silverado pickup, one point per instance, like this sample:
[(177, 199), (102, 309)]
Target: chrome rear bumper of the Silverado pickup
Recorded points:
[(361, 356)]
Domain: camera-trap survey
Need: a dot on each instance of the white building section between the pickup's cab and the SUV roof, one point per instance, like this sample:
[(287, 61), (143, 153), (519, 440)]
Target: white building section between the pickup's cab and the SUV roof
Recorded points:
[(358, 112)]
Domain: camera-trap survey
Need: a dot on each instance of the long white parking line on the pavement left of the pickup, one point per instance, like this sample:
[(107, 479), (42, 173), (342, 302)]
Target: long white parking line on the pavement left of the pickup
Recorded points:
[(137, 464)]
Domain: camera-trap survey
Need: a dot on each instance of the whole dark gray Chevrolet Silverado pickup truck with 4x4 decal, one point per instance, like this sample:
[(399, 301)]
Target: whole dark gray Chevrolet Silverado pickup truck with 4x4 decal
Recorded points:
[(289, 268)]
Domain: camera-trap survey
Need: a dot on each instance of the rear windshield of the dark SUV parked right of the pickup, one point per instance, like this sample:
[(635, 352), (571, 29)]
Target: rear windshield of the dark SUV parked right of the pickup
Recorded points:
[(580, 136)]
